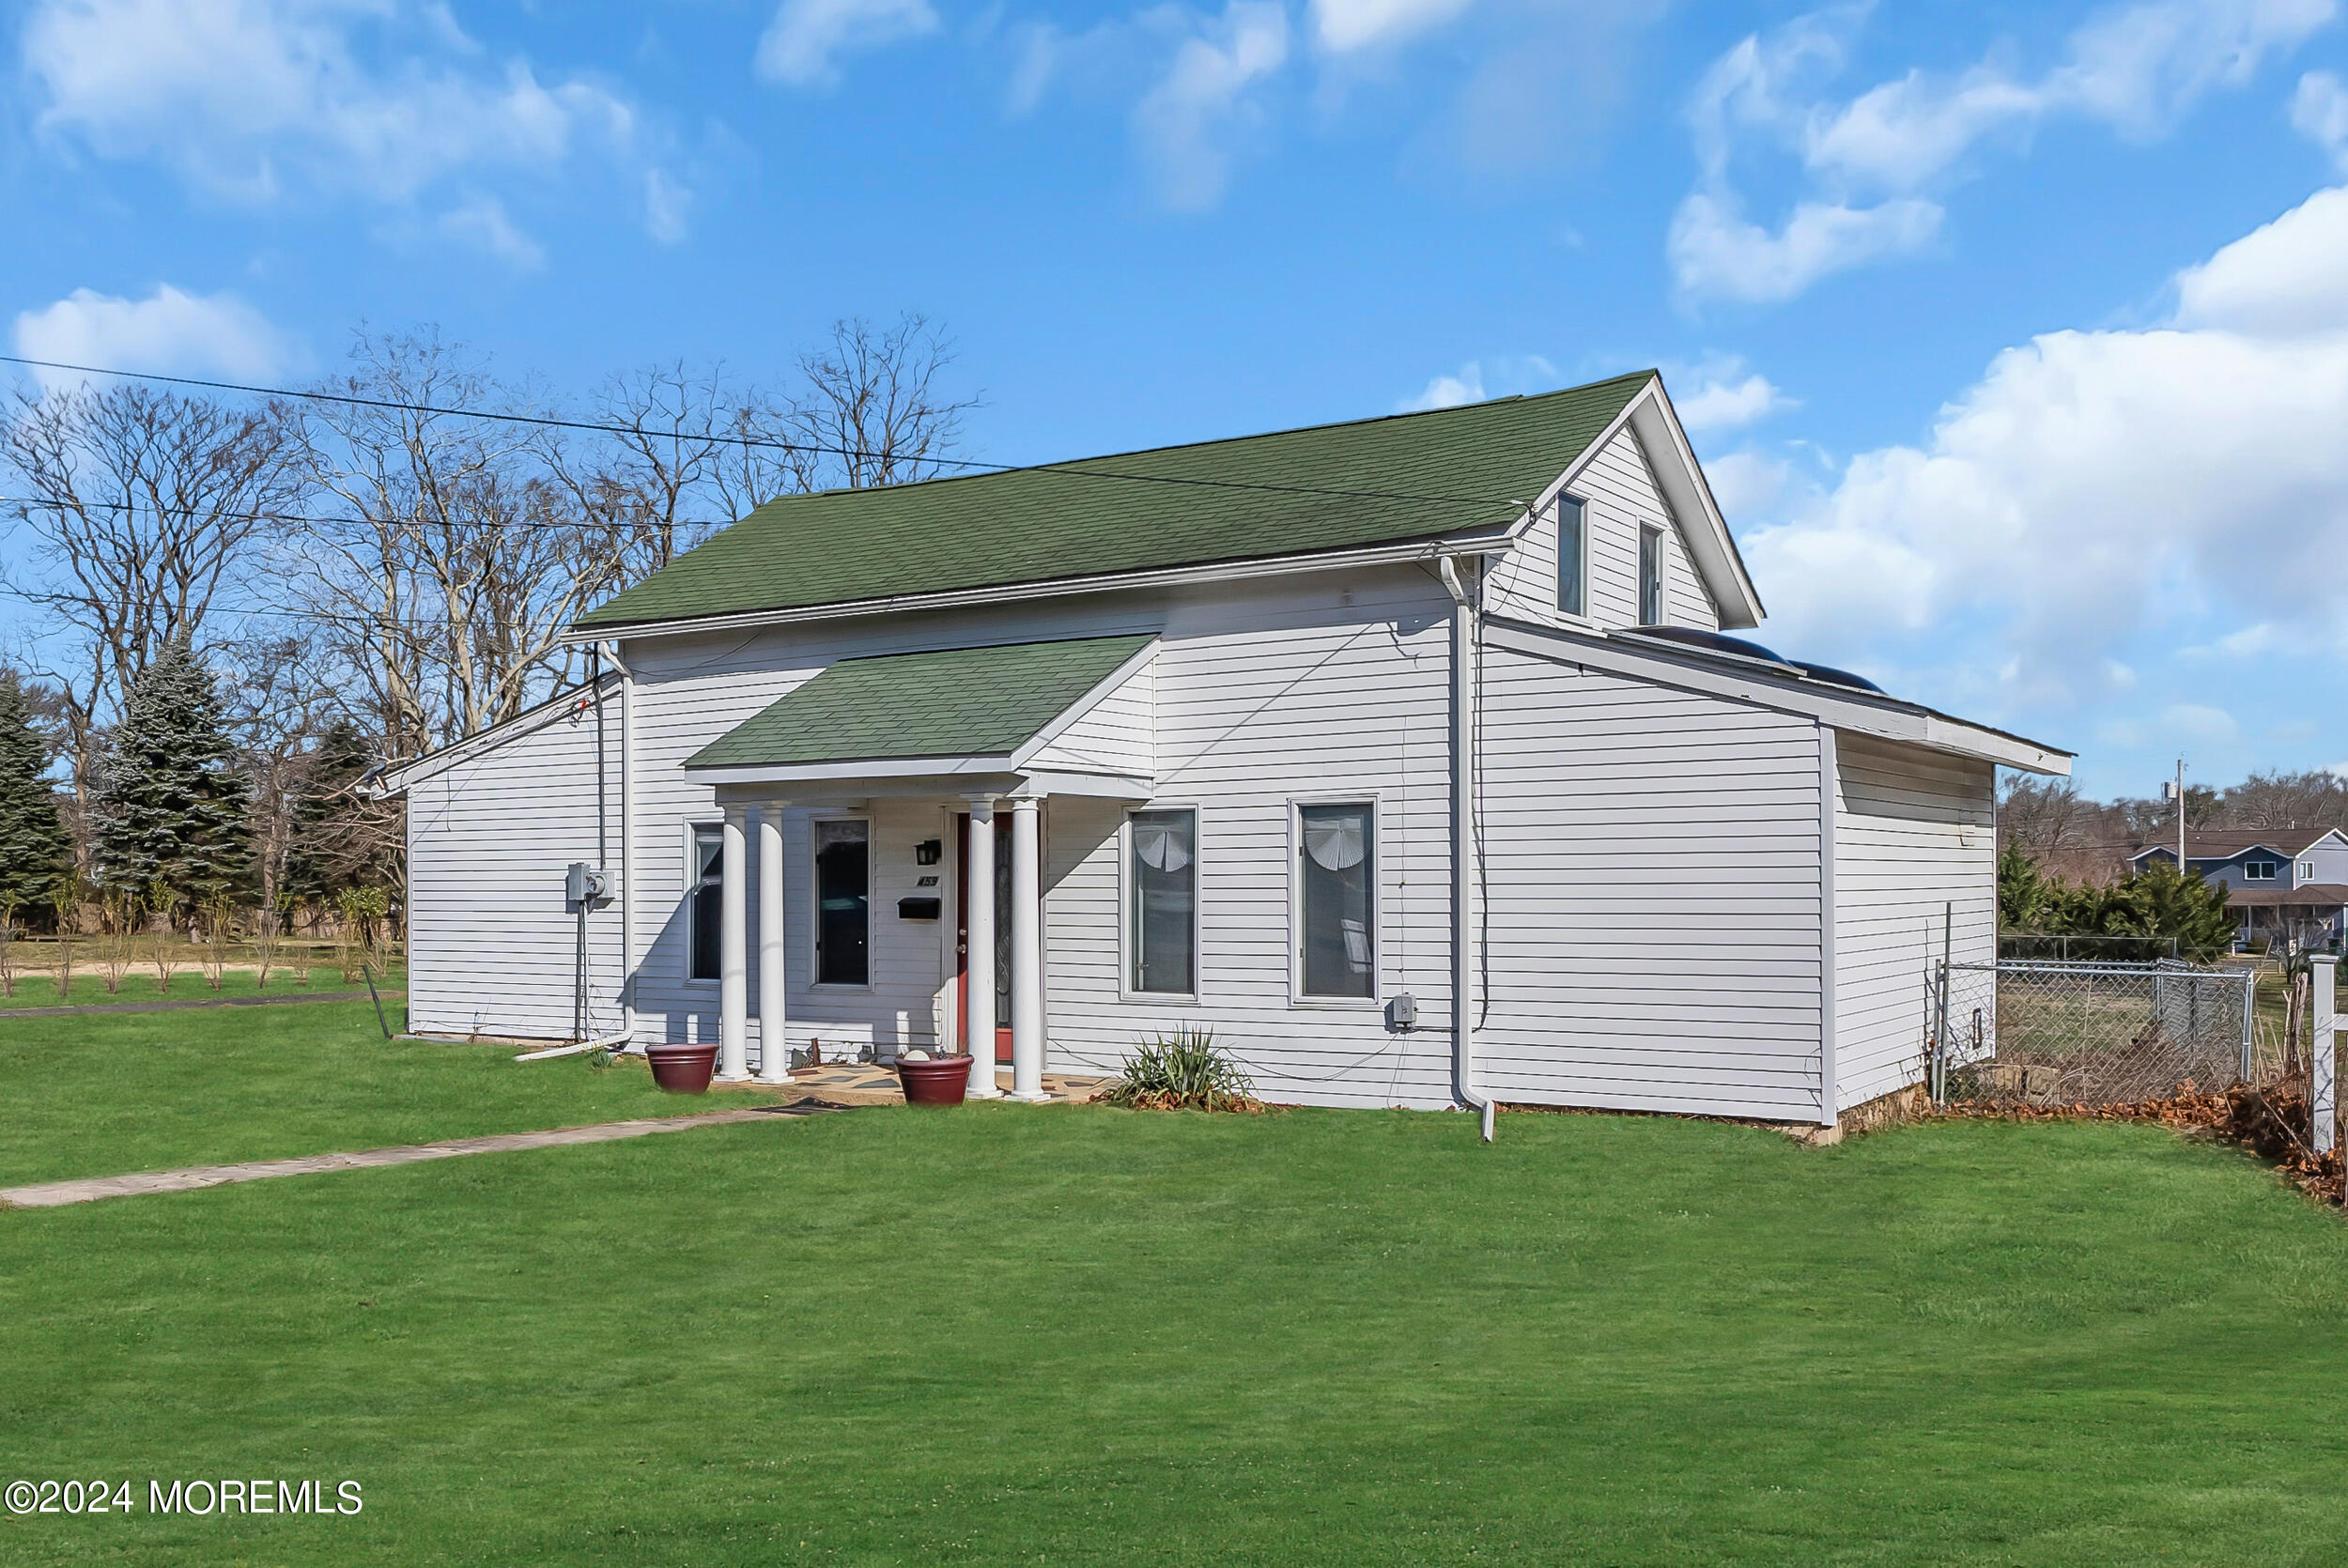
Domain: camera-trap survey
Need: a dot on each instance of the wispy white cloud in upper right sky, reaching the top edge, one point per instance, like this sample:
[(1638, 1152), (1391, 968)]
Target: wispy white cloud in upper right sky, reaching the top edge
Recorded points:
[(1875, 158)]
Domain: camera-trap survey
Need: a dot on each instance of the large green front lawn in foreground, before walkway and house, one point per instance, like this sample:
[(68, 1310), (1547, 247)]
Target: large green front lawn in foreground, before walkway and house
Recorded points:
[(1091, 1337)]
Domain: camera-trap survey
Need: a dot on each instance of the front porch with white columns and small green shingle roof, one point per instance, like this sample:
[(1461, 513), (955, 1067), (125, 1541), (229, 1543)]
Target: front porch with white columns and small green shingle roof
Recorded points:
[(868, 757)]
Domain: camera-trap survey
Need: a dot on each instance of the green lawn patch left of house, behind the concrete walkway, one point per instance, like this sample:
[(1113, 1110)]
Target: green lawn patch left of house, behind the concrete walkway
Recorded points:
[(144, 1093)]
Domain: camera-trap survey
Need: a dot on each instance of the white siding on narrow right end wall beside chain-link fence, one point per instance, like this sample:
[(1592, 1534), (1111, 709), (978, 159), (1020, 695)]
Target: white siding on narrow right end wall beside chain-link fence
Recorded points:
[(1915, 834)]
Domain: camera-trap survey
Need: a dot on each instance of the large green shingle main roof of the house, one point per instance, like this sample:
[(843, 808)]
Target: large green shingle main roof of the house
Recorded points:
[(1330, 487)]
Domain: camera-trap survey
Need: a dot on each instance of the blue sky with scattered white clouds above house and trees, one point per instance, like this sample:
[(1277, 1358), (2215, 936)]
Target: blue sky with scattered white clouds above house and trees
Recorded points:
[(2016, 337)]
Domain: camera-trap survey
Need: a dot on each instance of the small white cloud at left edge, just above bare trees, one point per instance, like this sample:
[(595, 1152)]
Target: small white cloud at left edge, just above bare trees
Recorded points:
[(170, 332)]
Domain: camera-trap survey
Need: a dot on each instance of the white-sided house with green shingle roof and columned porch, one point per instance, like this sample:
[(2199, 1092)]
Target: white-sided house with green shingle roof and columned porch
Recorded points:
[(1293, 738)]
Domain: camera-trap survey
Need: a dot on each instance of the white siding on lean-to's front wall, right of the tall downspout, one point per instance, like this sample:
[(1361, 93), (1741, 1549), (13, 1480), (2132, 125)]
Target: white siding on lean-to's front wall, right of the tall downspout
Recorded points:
[(1652, 895)]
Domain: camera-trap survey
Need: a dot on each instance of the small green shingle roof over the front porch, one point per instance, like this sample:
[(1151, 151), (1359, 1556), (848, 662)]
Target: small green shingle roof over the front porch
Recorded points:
[(954, 703)]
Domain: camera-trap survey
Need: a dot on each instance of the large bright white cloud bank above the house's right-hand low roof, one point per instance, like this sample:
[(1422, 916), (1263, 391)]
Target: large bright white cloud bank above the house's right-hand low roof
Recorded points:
[(2100, 487)]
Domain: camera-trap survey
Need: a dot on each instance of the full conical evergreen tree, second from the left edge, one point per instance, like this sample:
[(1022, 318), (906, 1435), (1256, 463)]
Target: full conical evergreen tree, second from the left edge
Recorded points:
[(170, 809)]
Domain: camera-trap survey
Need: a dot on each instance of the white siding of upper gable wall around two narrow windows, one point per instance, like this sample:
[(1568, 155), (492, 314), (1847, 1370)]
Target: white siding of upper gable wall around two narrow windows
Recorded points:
[(1619, 496)]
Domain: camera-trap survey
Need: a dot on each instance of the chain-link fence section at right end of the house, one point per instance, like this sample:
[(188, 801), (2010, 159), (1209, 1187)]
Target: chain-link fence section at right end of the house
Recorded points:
[(2096, 1034)]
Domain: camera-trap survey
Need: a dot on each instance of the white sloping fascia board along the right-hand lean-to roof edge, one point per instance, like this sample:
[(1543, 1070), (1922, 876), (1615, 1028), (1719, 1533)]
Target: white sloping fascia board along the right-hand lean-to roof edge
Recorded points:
[(1837, 708)]
